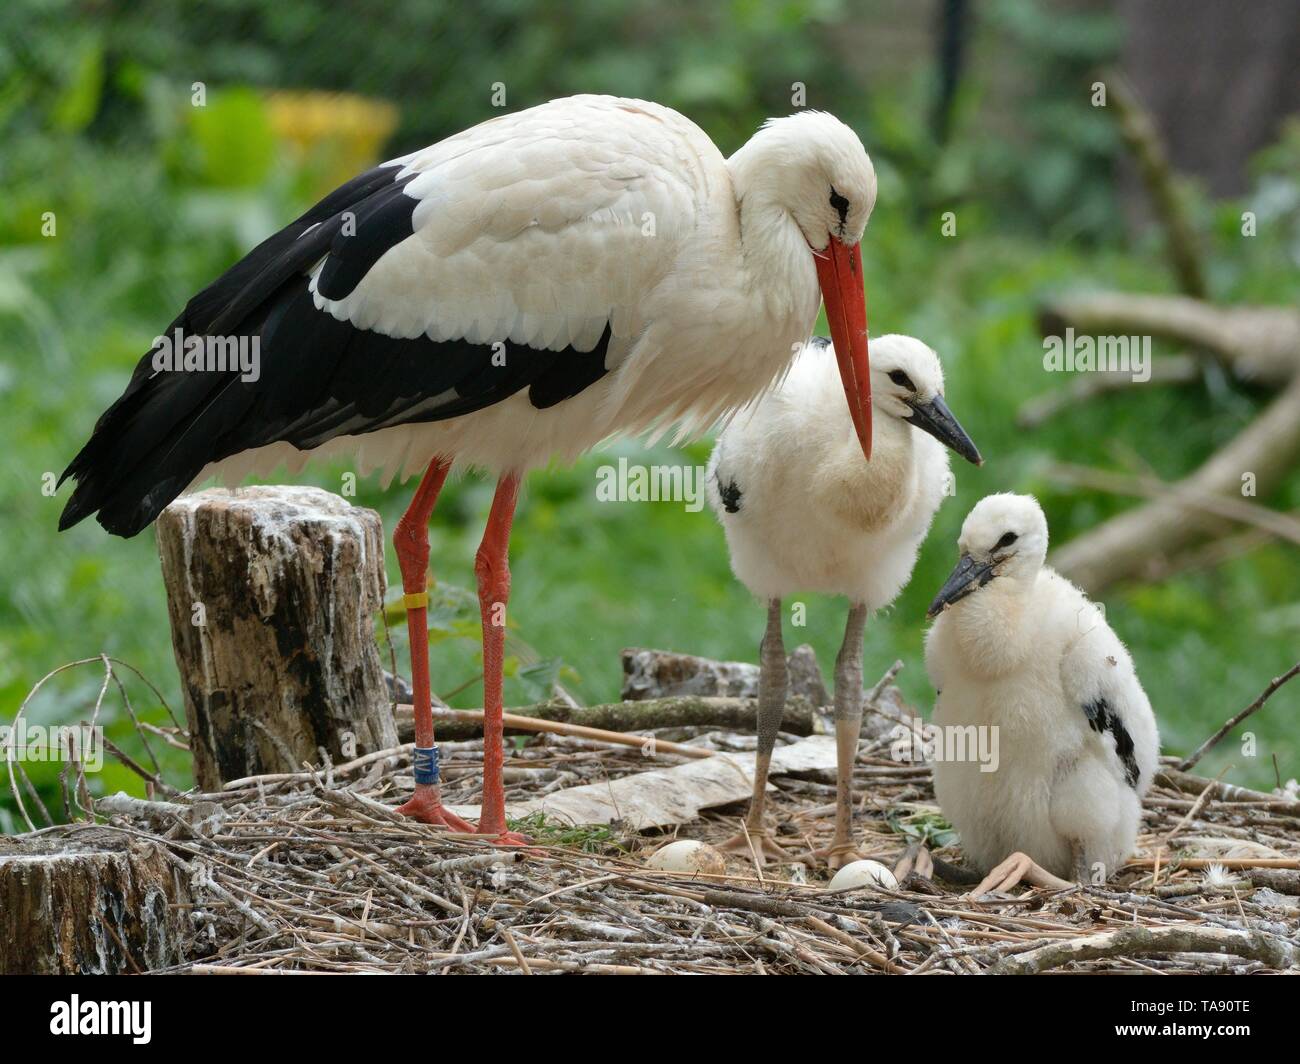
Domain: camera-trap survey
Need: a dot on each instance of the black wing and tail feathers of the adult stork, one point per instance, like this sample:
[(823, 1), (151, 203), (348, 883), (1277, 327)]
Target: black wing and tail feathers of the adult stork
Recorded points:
[(319, 378)]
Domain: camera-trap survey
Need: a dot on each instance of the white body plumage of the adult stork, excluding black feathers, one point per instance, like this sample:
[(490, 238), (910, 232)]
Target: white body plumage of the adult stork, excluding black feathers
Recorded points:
[(543, 227)]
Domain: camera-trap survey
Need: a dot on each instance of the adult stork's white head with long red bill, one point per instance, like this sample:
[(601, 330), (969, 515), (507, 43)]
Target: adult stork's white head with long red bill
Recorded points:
[(813, 168)]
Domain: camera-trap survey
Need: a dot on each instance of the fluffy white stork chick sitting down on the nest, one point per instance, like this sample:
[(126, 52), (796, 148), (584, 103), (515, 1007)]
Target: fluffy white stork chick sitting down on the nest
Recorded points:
[(1021, 650)]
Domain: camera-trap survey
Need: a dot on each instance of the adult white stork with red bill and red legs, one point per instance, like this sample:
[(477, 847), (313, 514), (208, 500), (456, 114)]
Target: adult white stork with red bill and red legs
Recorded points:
[(521, 291)]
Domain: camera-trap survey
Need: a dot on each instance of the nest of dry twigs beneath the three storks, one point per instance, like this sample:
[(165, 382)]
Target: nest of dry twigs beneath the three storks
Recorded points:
[(318, 873)]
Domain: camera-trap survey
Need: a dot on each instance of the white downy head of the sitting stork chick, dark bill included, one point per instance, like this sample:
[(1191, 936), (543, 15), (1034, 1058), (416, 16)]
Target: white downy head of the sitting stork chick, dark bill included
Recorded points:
[(1006, 537)]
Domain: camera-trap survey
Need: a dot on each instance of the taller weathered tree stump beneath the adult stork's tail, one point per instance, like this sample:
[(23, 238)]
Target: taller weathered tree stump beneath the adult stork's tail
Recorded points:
[(272, 595)]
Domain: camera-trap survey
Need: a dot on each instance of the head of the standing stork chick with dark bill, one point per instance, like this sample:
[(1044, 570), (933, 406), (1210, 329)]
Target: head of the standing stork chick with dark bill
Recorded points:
[(908, 383)]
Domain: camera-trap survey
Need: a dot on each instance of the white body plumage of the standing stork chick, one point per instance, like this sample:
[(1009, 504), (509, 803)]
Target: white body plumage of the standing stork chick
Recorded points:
[(812, 516)]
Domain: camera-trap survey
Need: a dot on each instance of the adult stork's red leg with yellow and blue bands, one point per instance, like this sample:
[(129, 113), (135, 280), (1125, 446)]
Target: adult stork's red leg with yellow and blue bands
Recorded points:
[(411, 540)]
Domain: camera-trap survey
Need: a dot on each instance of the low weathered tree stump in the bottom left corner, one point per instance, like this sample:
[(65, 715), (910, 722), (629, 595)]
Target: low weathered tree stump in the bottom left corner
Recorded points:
[(92, 903)]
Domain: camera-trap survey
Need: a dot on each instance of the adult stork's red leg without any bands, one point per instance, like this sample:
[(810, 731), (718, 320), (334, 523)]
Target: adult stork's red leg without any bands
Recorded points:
[(492, 568)]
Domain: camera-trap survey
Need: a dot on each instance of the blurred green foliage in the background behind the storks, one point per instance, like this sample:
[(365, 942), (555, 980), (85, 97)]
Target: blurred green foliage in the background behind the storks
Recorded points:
[(151, 197)]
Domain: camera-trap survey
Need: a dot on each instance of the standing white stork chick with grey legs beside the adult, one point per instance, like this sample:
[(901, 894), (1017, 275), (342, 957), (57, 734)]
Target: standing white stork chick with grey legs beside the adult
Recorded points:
[(803, 512)]
